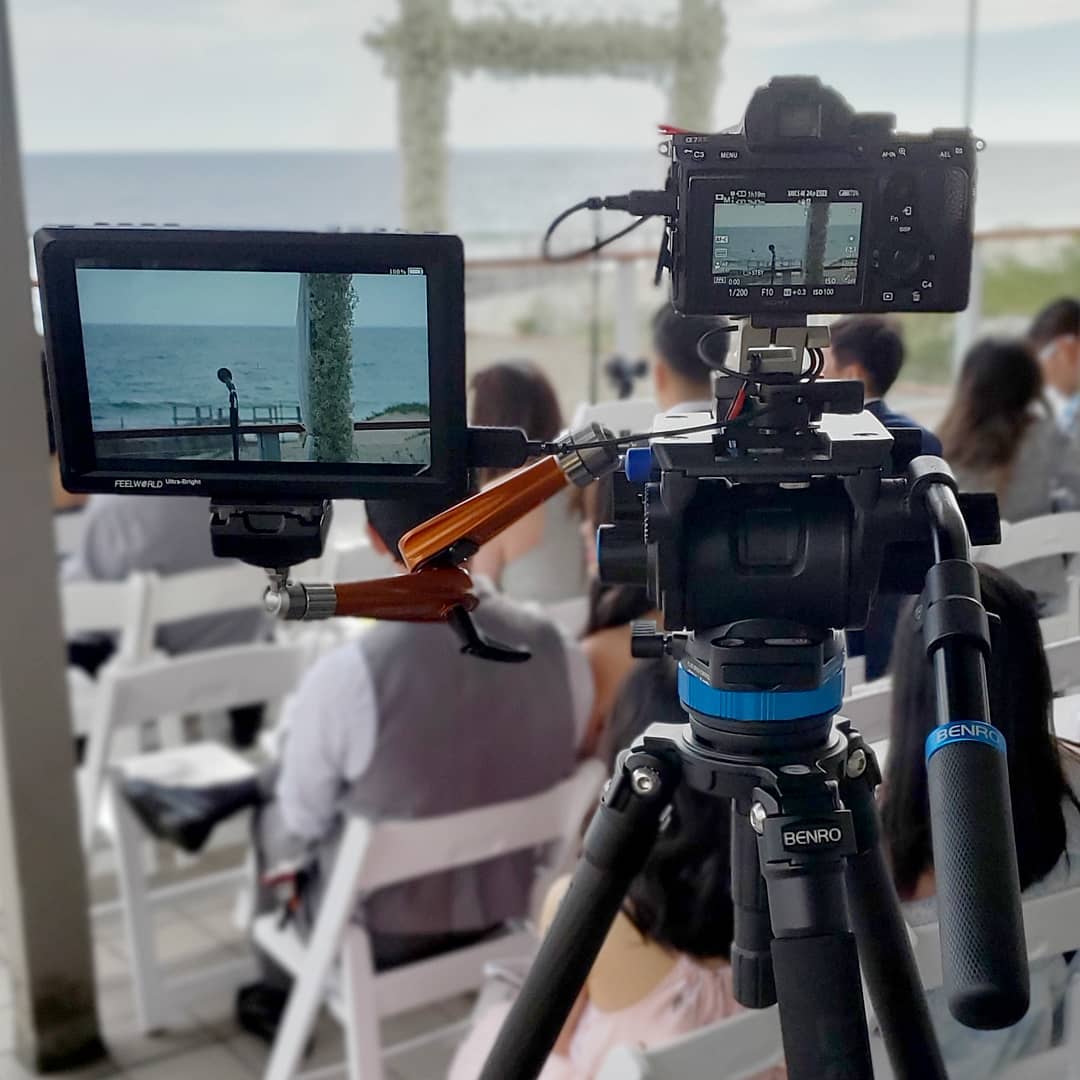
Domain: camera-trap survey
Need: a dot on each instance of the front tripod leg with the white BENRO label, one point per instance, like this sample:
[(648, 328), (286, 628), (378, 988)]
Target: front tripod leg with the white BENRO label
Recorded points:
[(805, 839)]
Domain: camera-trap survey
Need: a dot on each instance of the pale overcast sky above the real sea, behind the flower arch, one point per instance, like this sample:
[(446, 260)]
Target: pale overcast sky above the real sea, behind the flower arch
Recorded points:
[(296, 74)]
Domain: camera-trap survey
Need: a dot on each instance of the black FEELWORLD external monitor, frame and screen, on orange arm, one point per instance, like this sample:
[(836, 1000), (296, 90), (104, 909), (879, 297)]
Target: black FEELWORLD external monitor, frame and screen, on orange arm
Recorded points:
[(255, 366)]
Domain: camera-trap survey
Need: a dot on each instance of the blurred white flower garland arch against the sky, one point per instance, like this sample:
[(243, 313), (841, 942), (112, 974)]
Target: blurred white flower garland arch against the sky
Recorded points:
[(428, 44)]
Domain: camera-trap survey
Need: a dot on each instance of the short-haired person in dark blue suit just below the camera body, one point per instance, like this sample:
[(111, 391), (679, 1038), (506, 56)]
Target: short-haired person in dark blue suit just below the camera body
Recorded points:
[(869, 348)]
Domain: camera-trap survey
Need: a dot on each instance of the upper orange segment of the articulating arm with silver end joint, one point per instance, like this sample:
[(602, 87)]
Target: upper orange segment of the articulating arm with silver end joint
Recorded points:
[(456, 534)]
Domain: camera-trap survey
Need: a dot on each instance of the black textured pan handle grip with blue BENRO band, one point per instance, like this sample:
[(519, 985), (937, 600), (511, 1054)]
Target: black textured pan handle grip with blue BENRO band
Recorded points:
[(984, 955)]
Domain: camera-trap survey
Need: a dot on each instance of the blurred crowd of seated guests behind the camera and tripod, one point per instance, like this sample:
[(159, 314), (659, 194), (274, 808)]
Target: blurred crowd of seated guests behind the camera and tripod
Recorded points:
[(398, 723)]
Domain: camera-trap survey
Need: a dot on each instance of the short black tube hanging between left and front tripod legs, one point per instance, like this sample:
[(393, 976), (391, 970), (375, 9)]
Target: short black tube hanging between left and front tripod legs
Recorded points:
[(751, 957)]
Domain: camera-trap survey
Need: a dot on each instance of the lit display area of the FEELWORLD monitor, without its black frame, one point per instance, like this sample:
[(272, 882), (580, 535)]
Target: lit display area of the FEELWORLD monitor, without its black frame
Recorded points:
[(258, 366)]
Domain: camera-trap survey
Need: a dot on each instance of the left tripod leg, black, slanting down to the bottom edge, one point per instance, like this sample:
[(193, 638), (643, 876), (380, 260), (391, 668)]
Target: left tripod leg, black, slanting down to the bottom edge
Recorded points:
[(615, 849)]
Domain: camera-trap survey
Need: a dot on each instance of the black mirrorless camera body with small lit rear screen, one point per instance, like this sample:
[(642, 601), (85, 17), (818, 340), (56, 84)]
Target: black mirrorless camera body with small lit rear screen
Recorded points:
[(812, 208)]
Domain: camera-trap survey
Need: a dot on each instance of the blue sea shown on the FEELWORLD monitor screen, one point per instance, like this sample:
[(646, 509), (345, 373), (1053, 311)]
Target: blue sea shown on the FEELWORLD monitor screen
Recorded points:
[(138, 374)]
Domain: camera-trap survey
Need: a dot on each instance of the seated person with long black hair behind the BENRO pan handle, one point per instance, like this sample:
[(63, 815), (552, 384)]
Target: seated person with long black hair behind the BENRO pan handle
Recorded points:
[(1044, 777)]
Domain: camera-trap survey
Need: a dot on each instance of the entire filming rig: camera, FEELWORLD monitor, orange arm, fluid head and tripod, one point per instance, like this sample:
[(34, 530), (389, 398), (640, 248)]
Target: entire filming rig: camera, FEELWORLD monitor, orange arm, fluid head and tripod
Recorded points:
[(277, 371)]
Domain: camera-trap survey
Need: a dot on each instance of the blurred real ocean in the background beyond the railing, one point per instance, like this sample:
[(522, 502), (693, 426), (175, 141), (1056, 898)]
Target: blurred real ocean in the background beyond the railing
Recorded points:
[(501, 201)]
